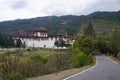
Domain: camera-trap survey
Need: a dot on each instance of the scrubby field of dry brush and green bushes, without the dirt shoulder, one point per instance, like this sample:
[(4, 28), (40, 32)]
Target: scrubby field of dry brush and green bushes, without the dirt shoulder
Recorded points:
[(17, 66)]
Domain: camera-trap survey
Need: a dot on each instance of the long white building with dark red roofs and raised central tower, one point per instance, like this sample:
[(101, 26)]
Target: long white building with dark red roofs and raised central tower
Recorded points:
[(40, 38)]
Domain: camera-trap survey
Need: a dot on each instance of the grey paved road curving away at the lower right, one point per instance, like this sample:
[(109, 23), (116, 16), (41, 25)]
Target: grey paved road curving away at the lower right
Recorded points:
[(105, 69)]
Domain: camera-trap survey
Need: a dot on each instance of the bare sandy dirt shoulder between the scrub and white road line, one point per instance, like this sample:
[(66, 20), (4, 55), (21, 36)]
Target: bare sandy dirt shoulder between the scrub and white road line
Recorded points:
[(63, 74)]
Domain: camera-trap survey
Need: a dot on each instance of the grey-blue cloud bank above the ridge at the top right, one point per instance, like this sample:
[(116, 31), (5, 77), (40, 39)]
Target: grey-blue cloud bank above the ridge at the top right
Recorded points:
[(103, 5)]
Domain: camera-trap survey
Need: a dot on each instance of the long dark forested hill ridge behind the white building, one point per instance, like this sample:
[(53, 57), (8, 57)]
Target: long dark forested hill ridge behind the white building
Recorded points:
[(71, 24)]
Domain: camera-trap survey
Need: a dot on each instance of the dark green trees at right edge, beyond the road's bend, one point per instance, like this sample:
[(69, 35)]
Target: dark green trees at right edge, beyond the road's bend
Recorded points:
[(111, 44)]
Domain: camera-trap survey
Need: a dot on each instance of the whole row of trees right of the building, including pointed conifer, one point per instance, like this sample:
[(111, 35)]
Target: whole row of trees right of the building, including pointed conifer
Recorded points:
[(90, 41)]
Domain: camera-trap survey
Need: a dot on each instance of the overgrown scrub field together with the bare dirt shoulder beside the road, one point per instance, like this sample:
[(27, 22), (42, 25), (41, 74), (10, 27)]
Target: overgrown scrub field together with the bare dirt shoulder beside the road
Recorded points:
[(57, 63)]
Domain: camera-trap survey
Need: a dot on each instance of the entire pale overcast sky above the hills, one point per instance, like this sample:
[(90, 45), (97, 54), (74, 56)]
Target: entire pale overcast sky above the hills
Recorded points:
[(21, 9)]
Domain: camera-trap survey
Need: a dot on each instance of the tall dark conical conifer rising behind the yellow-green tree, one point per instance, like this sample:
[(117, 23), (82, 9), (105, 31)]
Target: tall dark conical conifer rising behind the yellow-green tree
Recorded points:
[(89, 31)]
